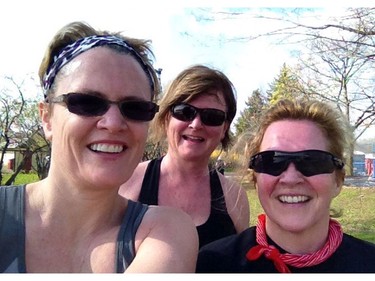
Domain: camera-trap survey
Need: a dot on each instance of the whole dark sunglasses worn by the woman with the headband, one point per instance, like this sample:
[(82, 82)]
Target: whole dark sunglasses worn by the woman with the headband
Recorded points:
[(90, 106)]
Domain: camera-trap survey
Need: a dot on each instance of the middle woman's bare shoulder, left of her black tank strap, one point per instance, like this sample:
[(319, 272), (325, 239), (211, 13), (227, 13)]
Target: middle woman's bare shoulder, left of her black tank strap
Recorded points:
[(131, 188)]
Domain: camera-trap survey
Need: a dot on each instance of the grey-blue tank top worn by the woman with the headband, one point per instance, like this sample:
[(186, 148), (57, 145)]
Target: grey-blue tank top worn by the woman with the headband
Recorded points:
[(12, 231)]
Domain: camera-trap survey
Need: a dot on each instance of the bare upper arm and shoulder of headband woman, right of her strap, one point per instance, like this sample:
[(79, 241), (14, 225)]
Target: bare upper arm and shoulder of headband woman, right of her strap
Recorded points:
[(166, 242)]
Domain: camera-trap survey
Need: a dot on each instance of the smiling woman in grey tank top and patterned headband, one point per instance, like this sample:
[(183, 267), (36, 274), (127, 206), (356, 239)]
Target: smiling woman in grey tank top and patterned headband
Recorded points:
[(99, 91)]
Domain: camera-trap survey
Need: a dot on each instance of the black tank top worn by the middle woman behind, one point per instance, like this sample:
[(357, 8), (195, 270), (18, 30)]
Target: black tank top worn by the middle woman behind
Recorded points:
[(219, 223)]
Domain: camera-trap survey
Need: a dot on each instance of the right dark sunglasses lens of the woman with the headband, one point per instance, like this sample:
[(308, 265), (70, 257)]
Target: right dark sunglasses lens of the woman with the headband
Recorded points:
[(139, 110)]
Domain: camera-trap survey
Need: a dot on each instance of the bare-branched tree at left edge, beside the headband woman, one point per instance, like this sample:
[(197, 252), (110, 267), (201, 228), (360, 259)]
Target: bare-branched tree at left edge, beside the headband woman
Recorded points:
[(21, 128)]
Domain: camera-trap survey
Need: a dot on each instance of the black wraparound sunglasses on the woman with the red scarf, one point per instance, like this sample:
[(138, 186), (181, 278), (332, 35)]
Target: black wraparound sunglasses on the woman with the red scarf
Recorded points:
[(308, 162)]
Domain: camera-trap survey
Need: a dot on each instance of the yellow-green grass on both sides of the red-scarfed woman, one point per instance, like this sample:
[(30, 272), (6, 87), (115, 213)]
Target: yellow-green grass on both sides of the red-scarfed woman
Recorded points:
[(356, 206)]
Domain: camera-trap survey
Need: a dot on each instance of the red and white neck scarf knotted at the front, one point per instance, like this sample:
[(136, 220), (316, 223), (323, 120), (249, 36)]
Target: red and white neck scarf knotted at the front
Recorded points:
[(282, 260)]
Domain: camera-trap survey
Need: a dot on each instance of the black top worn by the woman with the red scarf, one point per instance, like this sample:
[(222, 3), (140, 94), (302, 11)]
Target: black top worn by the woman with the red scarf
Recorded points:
[(227, 255)]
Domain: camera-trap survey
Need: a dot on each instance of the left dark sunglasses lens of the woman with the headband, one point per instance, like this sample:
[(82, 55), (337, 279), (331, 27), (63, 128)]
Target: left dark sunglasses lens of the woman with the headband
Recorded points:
[(86, 105)]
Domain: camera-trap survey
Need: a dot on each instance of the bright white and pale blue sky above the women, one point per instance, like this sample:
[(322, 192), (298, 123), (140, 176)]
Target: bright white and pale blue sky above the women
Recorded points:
[(178, 39)]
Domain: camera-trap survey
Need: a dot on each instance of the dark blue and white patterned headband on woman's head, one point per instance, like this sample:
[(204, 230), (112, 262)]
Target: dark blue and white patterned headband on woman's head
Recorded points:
[(71, 51)]
